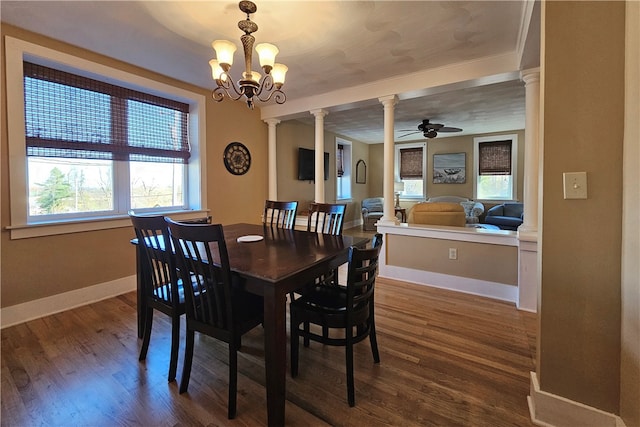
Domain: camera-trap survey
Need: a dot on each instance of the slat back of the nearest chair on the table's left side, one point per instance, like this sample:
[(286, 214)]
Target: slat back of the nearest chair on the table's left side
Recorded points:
[(203, 263)]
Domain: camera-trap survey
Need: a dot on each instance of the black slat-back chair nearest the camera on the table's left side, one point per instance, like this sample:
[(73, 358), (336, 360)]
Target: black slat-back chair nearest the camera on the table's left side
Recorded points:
[(216, 303)]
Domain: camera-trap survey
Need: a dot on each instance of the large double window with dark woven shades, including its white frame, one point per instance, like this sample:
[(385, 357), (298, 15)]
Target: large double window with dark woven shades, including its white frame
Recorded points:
[(96, 142)]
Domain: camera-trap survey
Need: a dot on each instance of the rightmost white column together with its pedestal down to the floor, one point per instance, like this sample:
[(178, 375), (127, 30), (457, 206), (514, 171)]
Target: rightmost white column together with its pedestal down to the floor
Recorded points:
[(528, 231)]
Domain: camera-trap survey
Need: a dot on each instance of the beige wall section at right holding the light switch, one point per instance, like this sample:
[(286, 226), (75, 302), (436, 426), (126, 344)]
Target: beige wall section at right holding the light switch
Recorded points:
[(579, 310)]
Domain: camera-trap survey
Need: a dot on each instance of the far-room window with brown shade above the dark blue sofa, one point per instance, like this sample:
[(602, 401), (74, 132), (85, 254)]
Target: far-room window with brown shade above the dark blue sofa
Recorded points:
[(495, 167)]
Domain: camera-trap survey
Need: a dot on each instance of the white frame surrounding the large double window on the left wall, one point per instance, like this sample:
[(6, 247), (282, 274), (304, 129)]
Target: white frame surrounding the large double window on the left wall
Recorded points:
[(16, 51)]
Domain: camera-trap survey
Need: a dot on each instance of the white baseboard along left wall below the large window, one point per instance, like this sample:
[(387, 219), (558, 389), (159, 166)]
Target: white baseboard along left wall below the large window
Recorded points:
[(21, 313)]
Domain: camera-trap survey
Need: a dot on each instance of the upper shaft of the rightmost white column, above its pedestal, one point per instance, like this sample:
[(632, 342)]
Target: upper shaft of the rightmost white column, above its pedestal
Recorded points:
[(531, 79)]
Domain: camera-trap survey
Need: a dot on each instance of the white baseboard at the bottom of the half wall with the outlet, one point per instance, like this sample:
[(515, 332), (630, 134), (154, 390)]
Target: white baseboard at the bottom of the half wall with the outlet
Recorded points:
[(467, 285)]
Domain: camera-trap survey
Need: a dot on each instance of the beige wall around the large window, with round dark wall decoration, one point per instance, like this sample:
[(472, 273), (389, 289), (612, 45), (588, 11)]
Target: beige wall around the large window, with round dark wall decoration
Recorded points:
[(40, 267)]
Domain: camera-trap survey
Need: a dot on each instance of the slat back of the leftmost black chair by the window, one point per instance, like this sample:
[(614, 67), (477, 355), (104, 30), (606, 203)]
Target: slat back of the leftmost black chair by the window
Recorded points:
[(153, 237)]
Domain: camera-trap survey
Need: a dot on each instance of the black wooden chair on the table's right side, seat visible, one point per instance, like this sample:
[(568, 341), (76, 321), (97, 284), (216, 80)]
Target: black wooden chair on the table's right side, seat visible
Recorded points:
[(349, 308)]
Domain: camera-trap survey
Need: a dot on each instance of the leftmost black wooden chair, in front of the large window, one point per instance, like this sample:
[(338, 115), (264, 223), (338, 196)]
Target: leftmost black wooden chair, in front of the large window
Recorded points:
[(162, 289)]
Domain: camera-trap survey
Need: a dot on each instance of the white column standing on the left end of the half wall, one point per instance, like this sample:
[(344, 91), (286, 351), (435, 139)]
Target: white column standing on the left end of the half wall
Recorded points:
[(388, 215)]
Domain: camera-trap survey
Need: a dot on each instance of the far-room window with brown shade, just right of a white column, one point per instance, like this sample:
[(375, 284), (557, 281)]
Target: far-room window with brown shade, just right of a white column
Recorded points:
[(410, 168)]
